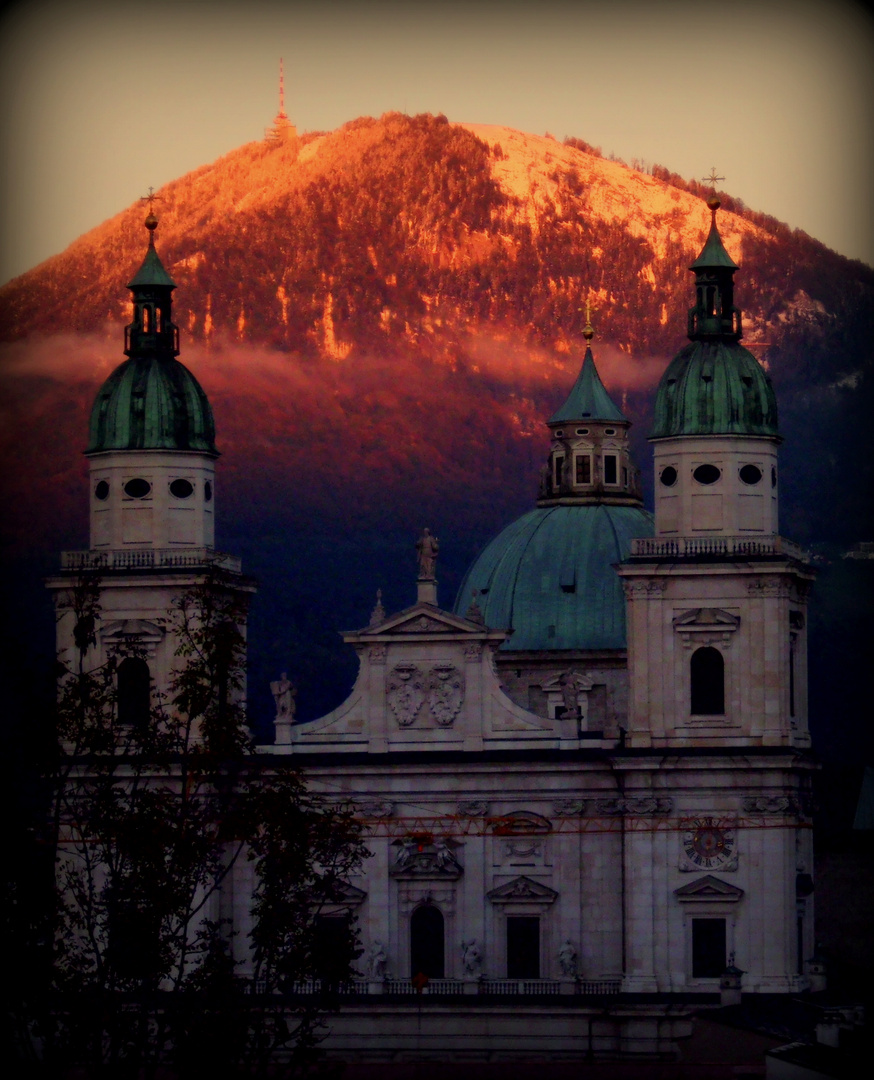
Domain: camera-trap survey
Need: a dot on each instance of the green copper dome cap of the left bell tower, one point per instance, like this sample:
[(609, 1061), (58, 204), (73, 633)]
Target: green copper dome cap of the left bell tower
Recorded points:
[(152, 403)]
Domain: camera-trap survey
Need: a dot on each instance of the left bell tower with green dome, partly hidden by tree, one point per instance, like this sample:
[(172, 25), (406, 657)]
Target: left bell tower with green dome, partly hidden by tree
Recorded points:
[(152, 495)]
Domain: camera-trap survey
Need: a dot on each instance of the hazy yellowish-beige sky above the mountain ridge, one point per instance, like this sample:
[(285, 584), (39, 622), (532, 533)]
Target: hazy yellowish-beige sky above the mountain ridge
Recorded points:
[(102, 99)]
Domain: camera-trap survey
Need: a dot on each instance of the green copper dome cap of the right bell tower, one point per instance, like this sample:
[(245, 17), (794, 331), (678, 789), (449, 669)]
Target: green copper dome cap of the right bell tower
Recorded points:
[(715, 388)]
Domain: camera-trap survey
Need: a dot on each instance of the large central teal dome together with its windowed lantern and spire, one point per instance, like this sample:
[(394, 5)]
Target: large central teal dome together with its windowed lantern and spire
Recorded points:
[(550, 574)]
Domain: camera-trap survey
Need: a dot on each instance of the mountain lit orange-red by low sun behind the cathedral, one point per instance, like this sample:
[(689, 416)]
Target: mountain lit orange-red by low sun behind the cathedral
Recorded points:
[(384, 316)]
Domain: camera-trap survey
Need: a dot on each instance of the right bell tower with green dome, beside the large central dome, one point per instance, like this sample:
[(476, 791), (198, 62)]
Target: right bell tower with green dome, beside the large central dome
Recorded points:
[(718, 652)]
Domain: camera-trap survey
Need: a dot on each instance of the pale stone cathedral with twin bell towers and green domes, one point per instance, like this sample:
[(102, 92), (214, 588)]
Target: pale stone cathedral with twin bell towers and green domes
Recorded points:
[(585, 784)]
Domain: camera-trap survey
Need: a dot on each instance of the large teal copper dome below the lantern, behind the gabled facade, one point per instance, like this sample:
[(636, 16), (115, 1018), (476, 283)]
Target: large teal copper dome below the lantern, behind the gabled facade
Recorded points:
[(550, 577)]
